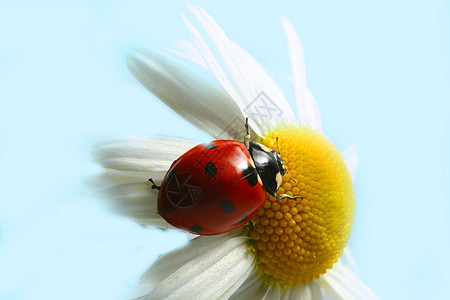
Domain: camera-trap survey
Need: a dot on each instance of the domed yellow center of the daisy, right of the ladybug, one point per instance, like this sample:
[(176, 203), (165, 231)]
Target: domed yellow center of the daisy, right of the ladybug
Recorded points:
[(298, 240)]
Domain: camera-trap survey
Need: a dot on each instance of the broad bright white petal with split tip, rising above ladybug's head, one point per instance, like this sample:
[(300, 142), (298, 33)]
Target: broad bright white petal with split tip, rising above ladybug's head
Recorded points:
[(240, 75)]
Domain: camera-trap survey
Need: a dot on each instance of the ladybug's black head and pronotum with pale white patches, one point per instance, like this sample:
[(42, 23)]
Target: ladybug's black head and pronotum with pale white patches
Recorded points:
[(269, 165)]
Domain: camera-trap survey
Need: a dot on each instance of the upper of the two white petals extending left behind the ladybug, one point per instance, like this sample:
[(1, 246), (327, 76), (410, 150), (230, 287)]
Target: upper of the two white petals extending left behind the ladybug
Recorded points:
[(141, 154)]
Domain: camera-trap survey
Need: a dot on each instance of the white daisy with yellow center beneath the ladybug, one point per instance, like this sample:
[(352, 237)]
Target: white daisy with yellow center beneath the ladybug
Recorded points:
[(293, 248)]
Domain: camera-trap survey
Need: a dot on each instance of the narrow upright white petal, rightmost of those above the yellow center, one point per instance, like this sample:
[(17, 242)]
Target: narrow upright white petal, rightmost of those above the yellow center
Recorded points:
[(307, 107)]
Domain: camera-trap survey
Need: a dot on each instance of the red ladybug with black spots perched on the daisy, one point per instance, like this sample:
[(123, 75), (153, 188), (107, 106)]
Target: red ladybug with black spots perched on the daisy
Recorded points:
[(218, 187)]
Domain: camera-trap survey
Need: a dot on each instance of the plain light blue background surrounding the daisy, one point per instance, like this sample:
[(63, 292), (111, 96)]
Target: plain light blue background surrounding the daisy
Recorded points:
[(380, 73)]
